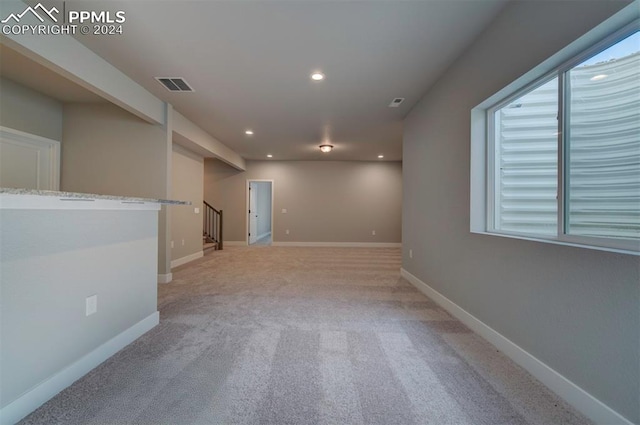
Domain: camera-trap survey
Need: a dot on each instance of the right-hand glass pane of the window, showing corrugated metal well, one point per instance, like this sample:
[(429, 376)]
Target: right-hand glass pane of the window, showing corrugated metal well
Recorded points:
[(602, 143)]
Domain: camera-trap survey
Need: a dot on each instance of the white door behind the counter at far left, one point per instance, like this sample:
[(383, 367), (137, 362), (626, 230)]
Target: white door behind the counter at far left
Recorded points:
[(28, 161)]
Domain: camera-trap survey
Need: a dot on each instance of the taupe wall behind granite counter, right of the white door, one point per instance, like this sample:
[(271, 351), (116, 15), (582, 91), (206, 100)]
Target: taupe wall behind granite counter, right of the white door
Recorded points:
[(107, 150)]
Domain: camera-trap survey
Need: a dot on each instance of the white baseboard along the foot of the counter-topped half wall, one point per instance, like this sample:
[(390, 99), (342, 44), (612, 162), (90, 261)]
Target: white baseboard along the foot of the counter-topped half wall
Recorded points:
[(39, 395)]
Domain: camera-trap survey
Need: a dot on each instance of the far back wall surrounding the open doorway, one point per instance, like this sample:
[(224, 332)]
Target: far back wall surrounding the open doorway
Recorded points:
[(326, 201)]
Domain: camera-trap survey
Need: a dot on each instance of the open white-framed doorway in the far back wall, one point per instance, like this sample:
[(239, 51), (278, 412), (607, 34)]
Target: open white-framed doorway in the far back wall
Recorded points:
[(260, 212)]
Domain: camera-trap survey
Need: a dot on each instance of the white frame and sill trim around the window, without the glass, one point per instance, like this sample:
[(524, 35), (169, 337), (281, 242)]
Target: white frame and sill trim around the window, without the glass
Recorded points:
[(483, 171)]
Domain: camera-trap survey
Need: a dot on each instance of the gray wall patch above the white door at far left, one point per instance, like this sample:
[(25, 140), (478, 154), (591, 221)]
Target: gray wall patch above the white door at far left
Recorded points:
[(27, 110)]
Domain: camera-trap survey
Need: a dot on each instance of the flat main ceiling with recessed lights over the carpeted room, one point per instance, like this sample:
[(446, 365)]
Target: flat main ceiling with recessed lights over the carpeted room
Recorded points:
[(249, 63)]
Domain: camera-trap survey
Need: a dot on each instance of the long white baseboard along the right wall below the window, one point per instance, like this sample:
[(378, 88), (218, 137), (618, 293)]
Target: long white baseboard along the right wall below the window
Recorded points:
[(584, 402)]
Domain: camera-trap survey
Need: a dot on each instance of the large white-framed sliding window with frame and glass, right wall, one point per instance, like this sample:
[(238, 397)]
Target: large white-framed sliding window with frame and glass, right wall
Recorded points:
[(563, 153)]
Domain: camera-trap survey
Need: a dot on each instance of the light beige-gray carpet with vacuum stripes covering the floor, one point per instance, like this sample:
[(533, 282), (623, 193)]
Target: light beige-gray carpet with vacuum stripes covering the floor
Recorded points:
[(275, 335)]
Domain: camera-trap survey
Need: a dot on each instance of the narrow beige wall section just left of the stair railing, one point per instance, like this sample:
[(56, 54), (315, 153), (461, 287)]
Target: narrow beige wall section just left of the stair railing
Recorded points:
[(187, 185)]
